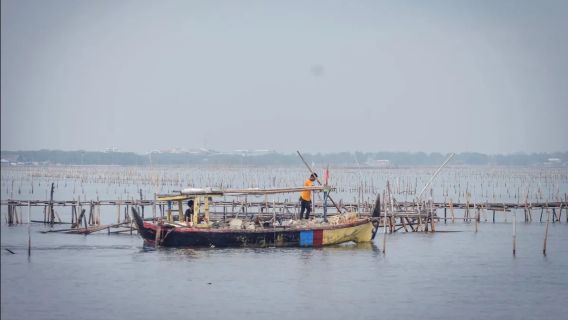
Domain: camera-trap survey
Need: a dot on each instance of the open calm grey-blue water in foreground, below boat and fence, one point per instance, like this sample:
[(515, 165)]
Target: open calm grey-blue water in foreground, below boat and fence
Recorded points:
[(446, 275)]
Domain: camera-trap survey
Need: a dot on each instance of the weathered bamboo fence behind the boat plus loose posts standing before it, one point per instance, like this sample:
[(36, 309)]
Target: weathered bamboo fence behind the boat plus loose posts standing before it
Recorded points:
[(411, 216)]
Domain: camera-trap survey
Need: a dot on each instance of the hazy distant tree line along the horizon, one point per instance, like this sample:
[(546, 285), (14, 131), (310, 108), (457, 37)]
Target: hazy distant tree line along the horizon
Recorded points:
[(362, 159)]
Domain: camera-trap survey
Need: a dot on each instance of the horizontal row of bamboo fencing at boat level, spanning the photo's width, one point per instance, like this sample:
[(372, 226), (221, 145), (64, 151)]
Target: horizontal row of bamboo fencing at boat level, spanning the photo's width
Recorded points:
[(404, 211)]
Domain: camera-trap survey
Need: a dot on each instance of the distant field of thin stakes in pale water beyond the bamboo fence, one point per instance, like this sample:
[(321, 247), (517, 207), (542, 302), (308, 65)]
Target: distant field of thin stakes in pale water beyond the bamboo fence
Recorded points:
[(486, 184)]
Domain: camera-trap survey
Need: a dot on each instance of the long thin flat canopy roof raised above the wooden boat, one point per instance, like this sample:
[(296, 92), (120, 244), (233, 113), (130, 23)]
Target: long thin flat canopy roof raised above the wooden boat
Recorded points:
[(189, 193)]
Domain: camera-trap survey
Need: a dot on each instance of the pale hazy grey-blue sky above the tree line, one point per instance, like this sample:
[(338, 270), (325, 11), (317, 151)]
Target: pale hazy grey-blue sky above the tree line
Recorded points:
[(316, 76)]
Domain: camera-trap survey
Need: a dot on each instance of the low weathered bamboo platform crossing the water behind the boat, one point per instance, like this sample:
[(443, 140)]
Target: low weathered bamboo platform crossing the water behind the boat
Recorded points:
[(410, 216)]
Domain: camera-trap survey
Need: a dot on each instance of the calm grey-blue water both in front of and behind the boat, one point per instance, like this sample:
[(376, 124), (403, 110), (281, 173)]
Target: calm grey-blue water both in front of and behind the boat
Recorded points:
[(443, 275)]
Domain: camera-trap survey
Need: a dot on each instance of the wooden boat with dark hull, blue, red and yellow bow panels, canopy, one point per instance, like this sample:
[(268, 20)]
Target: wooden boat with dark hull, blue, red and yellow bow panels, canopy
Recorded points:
[(234, 232)]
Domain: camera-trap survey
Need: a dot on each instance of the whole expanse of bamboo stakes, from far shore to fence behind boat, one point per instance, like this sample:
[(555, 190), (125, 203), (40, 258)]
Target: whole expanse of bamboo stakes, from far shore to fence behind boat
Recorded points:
[(495, 190)]
